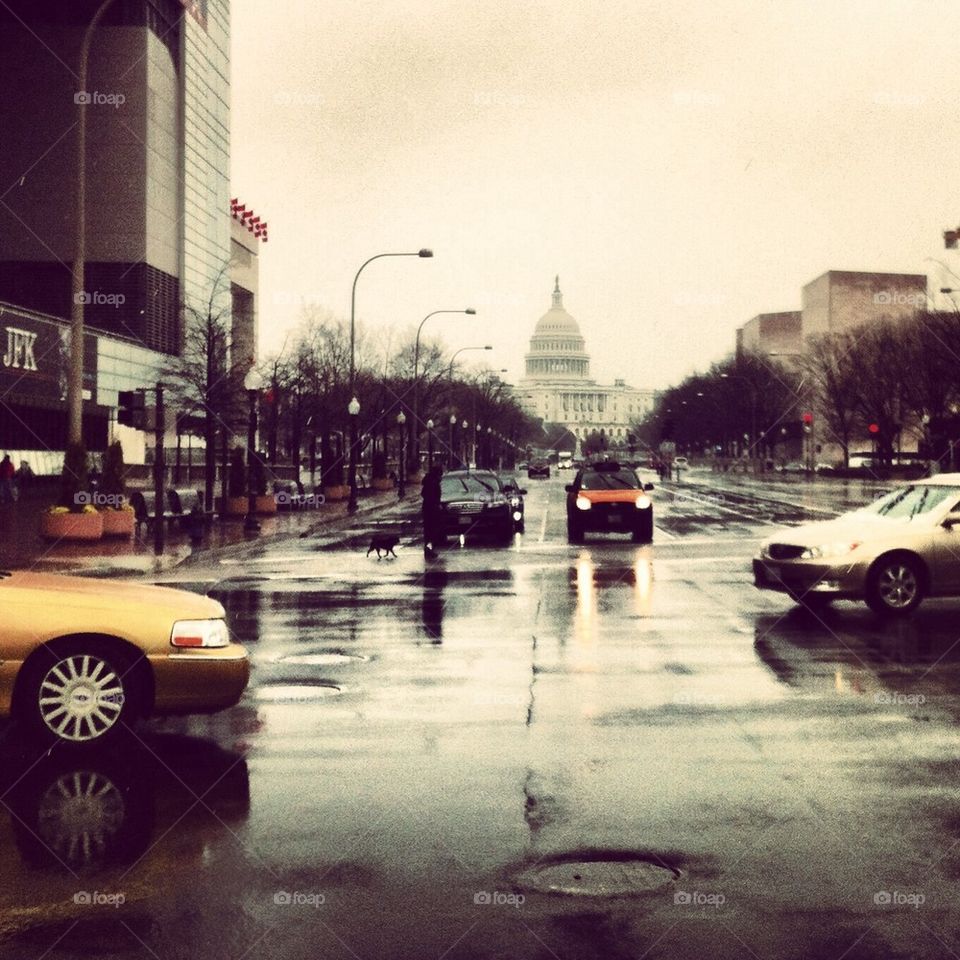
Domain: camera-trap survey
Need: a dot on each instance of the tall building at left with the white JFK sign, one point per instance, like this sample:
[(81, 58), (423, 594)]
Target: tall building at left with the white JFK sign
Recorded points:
[(158, 206)]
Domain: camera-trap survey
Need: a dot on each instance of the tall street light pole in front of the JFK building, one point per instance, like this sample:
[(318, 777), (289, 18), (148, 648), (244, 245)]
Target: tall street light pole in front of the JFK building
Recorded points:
[(75, 378)]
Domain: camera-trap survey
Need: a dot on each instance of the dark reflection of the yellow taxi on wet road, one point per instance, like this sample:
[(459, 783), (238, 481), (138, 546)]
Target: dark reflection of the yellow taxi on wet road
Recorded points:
[(132, 822)]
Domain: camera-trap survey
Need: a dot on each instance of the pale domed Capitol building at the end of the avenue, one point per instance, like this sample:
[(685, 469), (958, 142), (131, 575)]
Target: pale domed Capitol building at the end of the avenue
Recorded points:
[(557, 387)]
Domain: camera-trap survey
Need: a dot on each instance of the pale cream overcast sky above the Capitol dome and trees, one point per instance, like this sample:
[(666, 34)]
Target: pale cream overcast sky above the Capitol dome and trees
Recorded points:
[(682, 165)]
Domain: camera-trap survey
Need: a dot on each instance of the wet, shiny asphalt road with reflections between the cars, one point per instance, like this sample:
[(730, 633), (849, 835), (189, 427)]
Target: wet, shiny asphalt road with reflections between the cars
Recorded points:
[(424, 750)]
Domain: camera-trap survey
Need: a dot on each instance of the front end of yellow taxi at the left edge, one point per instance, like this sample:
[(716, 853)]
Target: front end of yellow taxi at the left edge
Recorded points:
[(82, 658)]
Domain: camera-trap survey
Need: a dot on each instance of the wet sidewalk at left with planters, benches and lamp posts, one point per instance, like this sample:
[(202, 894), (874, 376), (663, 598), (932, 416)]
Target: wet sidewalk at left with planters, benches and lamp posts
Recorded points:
[(21, 546)]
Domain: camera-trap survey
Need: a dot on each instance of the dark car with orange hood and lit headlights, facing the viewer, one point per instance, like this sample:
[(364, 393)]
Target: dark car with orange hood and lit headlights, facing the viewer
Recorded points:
[(608, 497)]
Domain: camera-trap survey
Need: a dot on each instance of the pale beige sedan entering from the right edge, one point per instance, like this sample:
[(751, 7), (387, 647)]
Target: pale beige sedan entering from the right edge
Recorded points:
[(892, 553)]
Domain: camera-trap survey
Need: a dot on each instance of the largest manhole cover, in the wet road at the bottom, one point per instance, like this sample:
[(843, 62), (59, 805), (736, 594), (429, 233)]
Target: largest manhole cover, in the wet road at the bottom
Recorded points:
[(597, 878)]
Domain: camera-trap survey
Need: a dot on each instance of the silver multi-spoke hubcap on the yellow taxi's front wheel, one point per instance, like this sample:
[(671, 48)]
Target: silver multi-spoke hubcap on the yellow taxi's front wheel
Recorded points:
[(81, 698)]
